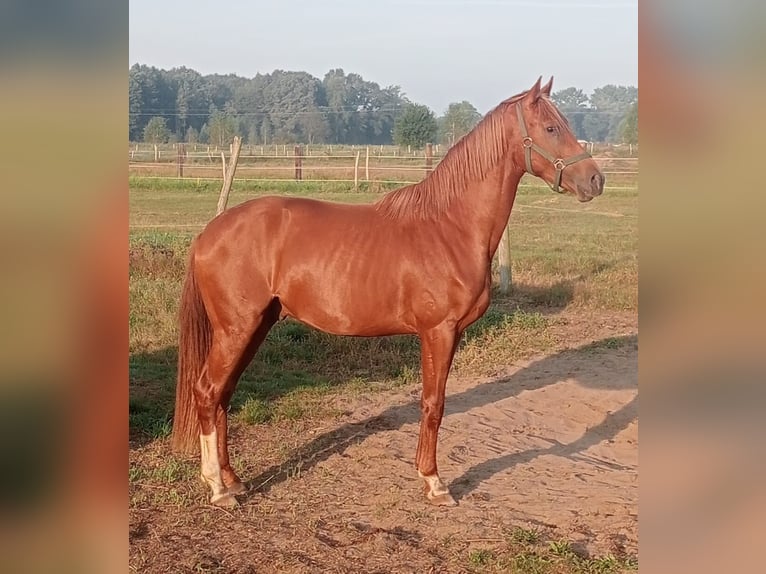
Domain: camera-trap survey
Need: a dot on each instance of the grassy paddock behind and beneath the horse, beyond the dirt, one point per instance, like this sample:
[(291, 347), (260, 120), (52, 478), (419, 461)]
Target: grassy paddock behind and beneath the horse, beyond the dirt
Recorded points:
[(564, 255)]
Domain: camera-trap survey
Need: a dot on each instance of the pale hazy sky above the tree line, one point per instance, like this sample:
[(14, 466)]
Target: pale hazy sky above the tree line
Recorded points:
[(437, 51)]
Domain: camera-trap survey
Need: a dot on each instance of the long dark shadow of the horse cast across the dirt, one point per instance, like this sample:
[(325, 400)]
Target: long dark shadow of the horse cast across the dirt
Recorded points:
[(546, 371)]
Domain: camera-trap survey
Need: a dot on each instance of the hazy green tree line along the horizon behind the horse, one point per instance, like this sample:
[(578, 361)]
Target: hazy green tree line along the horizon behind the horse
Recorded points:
[(295, 107)]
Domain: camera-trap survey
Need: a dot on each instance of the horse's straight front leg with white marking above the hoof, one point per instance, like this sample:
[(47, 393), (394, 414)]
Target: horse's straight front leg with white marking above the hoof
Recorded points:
[(437, 347)]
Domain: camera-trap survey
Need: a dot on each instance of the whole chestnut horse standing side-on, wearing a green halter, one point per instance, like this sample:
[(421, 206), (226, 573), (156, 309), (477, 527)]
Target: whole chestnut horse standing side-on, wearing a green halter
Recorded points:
[(415, 262)]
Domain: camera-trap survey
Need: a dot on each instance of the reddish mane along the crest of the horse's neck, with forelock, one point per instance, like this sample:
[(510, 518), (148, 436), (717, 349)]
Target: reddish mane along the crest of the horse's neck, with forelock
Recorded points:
[(468, 160)]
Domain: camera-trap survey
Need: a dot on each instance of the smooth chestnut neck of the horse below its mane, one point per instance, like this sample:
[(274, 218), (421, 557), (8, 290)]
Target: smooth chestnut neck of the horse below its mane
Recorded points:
[(483, 210)]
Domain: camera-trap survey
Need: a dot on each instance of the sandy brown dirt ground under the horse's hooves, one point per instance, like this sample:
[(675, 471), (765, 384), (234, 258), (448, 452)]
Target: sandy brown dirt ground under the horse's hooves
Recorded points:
[(550, 443)]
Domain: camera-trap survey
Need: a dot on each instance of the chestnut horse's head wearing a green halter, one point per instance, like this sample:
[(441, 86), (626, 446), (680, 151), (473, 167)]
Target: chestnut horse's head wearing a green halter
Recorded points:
[(551, 151)]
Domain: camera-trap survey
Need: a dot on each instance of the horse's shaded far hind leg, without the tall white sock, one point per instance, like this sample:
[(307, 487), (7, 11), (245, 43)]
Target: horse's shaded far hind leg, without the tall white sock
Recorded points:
[(231, 481)]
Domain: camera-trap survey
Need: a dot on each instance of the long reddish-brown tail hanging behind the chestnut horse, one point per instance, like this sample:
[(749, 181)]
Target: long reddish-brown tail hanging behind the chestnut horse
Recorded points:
[(193, 347)]
